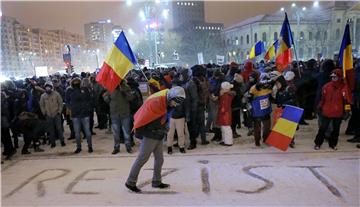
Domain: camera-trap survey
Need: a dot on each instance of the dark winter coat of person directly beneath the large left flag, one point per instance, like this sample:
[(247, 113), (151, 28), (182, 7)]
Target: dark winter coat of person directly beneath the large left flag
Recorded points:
[(119, 101)]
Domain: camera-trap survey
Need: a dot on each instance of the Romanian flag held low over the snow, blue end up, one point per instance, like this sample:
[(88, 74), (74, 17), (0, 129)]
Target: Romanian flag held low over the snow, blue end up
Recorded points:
[(284, 130)]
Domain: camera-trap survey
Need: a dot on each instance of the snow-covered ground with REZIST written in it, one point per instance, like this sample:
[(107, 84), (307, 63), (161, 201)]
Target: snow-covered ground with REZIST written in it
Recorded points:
[(209, 175)]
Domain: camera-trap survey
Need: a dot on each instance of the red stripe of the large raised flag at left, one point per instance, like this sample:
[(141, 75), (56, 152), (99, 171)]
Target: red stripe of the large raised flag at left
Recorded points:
[(108, 78)]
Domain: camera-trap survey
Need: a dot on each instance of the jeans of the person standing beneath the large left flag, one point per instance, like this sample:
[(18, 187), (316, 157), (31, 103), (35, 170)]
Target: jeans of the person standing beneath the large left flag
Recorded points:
[(123, 124)]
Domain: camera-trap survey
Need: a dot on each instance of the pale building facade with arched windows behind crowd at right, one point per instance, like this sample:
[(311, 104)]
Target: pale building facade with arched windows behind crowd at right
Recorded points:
[(316, 34)]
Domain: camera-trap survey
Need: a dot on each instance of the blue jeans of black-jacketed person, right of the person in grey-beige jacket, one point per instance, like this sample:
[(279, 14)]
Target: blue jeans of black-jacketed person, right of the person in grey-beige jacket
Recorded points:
[(85, 123)]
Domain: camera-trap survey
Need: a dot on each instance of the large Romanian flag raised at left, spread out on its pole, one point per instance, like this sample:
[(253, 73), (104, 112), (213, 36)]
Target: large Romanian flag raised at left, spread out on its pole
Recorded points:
[(118, 62)]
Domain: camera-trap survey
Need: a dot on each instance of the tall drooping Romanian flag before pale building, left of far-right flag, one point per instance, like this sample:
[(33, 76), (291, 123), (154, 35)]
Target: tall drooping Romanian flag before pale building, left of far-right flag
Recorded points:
[(284, 53)]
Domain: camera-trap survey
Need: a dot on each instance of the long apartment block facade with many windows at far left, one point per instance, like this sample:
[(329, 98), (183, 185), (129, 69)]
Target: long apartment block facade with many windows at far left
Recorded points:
[(23, 48)]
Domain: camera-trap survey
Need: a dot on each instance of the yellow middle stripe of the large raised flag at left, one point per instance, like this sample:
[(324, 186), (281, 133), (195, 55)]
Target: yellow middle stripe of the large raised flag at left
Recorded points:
[(118, 62)]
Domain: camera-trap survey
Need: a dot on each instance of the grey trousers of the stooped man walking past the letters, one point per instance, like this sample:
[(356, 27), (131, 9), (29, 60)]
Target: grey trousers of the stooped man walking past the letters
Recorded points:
[(147, 147)]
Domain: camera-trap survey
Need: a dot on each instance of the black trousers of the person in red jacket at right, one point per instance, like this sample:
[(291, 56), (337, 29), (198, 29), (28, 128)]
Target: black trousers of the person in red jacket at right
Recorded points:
[(333, 139)]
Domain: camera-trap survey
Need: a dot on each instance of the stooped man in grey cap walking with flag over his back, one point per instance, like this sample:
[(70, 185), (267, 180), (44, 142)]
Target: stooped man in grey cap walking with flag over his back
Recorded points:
[(150, 124)]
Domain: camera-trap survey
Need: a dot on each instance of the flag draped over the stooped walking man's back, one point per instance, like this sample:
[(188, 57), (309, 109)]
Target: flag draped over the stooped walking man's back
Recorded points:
[(154, 107)]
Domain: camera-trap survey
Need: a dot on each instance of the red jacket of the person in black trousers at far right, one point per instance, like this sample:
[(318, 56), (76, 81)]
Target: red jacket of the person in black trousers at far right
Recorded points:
[(334, 97)]
